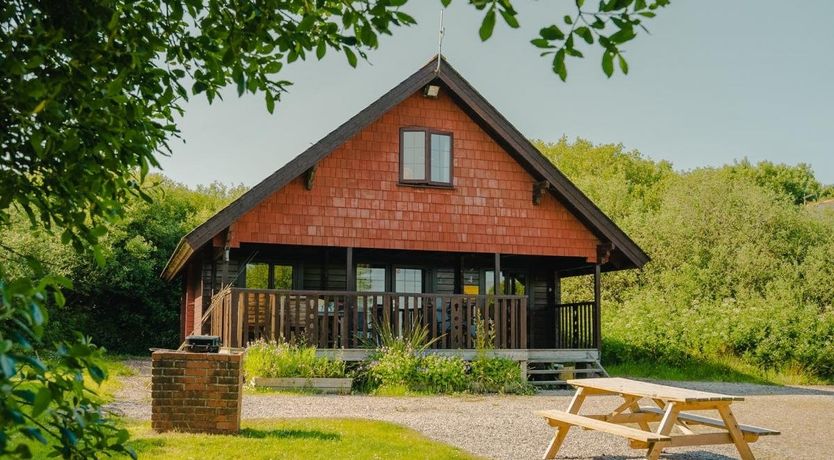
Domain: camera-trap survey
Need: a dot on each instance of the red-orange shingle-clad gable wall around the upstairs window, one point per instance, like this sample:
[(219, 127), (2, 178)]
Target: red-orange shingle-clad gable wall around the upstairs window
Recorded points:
[(356, 199)]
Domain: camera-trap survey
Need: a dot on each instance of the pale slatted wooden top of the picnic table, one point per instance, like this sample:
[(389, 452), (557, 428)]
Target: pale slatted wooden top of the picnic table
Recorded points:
[(617, 385)]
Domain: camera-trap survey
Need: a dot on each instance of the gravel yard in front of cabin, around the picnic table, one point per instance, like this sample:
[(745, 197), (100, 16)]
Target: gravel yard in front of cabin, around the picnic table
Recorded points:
[(504, 427)]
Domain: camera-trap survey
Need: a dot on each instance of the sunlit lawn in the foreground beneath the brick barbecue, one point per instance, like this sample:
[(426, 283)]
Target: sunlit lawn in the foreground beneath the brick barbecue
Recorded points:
[(291, 439)]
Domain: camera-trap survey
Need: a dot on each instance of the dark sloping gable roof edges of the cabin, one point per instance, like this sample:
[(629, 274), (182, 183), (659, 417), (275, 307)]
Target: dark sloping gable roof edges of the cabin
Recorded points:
[(477, 107)]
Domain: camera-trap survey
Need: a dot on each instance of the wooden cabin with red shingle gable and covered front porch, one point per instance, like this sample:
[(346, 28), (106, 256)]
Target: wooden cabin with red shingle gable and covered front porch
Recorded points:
[(428, 207)]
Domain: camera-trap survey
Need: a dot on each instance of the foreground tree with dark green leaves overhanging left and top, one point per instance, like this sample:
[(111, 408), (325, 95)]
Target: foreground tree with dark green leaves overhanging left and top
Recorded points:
[(90, 89)]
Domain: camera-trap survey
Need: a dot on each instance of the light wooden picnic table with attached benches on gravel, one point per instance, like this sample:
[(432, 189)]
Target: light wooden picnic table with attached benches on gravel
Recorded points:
[(668, 411)]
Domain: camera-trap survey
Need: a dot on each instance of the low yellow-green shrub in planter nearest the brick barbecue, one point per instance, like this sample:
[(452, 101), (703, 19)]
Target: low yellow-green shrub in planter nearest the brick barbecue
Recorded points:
[(280, 359)]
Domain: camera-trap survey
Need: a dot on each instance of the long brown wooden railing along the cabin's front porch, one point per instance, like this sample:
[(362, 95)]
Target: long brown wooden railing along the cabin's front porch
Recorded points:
[(345, 319)]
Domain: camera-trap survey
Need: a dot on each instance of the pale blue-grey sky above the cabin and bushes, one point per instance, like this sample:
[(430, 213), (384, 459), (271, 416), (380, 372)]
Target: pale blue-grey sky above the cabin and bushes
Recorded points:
[(715, 82)]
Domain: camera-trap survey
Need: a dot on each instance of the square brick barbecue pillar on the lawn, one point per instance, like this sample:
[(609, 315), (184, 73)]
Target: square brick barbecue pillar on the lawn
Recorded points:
[(196, 392)]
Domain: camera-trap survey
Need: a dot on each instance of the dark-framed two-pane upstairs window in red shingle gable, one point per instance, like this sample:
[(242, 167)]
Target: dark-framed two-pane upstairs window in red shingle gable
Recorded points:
[(425, 157)]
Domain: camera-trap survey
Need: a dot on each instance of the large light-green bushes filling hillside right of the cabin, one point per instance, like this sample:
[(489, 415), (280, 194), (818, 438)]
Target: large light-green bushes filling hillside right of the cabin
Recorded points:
[(741, 264)]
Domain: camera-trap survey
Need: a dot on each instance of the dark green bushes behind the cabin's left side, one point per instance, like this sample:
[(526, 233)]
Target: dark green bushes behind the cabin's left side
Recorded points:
[(123, 304)]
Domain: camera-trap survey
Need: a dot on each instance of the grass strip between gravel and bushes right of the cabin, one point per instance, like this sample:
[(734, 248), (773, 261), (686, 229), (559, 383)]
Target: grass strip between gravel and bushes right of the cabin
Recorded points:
[(728, 369)]
